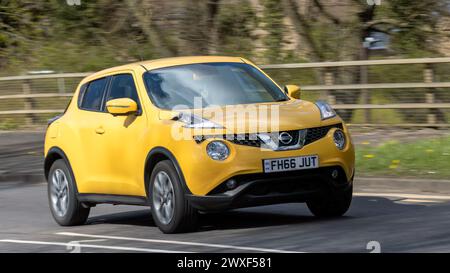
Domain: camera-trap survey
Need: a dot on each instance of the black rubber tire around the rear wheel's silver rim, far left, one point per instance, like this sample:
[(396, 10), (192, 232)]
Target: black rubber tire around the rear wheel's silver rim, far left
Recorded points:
[(75, 214)]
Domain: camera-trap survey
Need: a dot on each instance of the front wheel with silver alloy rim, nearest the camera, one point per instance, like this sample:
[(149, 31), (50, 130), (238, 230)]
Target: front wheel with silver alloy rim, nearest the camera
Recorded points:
[(171, 211)]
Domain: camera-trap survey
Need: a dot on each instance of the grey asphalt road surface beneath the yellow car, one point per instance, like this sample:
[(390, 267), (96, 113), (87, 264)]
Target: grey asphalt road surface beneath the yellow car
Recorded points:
[(399, 222)]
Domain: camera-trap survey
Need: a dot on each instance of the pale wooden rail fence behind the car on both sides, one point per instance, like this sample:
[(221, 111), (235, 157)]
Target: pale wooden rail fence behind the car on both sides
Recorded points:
[(21, 88)]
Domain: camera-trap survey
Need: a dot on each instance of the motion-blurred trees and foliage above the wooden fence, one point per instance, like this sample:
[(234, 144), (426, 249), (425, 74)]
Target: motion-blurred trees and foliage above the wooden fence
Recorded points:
[(50, 34)]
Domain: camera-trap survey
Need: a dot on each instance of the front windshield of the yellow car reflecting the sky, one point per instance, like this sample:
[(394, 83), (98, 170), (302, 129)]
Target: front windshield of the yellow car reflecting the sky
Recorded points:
[(211, 84)]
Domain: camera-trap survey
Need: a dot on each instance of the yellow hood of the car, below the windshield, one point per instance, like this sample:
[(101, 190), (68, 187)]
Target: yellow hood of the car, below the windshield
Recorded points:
[(261, 117)]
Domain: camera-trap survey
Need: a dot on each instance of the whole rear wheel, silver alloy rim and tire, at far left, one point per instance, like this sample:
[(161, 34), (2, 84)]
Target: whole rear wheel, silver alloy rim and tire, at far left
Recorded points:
[(64, 206)]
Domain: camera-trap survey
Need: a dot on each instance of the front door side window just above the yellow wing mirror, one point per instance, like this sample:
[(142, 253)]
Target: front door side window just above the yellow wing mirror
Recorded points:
[(122, 86)]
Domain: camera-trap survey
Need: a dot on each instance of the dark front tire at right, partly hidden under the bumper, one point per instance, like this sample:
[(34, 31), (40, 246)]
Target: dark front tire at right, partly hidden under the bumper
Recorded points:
[(332, 204)]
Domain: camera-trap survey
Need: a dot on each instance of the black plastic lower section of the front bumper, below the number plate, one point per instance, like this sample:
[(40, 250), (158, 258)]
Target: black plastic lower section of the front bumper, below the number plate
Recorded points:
[(274, 188)]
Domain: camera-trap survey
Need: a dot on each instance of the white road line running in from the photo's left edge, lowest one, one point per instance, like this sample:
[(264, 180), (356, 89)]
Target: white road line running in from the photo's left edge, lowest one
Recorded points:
[(90, 246)]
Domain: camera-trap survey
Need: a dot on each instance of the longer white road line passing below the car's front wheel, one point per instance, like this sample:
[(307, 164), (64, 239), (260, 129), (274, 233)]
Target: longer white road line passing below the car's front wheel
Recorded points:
[(177, 242)]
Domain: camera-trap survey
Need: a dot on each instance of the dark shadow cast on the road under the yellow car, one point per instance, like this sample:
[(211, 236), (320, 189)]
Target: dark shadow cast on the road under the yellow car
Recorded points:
[(276, 215)]
